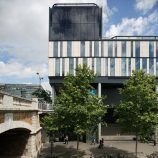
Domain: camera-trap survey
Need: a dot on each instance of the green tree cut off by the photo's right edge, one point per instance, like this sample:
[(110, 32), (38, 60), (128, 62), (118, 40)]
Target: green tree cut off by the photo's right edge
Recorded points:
[(137, 111)]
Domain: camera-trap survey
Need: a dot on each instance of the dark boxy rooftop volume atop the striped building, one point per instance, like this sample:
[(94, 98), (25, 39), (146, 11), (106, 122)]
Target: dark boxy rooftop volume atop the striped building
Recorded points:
[(77, 22)]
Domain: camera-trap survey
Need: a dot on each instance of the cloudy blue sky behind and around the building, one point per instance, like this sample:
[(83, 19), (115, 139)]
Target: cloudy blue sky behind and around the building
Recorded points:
[(24, 32)]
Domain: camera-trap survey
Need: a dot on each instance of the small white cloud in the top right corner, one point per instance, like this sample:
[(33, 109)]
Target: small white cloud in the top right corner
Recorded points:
[(145, 5)]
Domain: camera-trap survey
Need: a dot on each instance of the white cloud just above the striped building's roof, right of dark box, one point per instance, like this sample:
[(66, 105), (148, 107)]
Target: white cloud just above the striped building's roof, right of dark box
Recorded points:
[(135, 26)]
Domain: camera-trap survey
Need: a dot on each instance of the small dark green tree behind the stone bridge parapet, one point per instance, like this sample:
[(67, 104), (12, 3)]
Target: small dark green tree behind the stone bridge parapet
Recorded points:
[(41, 93)]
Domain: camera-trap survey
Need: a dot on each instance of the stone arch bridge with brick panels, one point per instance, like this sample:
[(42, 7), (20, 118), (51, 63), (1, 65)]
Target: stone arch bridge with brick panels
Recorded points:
[(20, 131)]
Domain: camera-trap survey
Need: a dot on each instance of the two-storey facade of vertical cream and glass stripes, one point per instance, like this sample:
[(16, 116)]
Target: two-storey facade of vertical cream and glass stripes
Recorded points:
[(106, 58)]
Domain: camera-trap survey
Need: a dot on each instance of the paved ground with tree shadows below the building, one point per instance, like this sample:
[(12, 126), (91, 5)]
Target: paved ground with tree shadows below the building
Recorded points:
[(86, 150)]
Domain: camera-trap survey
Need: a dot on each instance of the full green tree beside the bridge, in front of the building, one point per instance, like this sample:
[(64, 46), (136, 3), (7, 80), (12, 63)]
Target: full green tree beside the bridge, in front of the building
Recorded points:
[(75, 108)]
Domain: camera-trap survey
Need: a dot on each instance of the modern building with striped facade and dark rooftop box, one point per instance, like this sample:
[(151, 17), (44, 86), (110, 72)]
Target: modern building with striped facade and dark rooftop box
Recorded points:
[(75, 38)]
